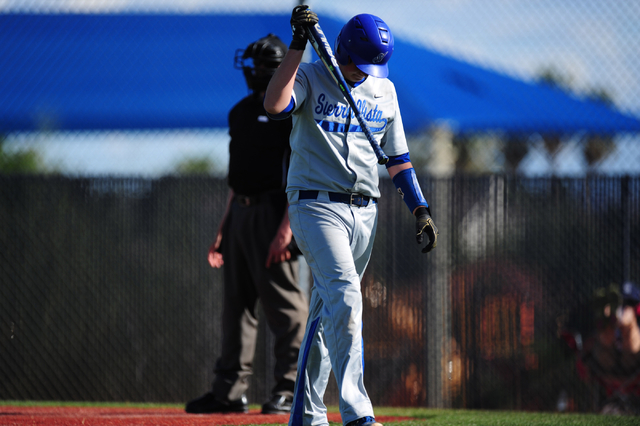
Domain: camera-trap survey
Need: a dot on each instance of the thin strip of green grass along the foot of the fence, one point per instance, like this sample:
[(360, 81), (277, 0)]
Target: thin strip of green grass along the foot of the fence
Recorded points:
[(423, 416)]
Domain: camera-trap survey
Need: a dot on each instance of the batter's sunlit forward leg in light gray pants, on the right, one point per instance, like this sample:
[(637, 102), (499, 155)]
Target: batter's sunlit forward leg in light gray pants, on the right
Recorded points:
[(329, 236)]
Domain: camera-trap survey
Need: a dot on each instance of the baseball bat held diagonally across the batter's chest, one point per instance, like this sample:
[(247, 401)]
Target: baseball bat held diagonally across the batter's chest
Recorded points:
[(319, 42)]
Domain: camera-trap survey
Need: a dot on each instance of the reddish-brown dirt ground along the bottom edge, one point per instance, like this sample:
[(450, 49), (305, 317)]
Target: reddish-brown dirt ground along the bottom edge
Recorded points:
[(100, 416)]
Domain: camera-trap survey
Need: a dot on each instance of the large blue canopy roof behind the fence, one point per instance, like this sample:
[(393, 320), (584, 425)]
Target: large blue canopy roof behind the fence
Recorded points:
[(156, 71)]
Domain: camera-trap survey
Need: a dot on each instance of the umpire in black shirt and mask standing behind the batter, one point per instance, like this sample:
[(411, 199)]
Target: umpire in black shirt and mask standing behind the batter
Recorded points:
[(254, 242)]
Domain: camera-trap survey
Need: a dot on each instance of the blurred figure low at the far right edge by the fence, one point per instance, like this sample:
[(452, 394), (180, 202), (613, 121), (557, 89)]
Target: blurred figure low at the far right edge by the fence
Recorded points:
[(611, 357)]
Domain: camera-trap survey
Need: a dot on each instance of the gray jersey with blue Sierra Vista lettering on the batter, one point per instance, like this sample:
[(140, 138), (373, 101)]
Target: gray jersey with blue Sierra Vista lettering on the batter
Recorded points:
[(330, 141)]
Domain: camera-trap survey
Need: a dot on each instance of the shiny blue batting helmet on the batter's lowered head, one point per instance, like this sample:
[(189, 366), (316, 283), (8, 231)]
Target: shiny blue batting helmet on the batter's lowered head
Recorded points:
[(368, 41)]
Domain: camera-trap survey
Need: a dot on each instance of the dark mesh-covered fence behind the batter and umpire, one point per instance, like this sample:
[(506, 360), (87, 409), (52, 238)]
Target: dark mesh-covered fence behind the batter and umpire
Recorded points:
[(106, 294)]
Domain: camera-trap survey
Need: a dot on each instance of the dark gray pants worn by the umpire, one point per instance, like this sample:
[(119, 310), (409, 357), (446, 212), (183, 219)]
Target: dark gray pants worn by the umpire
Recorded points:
[(248, 233)]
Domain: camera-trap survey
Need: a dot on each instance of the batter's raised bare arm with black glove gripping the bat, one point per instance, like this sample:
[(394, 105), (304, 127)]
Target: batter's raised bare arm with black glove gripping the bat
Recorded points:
[(278, 95)]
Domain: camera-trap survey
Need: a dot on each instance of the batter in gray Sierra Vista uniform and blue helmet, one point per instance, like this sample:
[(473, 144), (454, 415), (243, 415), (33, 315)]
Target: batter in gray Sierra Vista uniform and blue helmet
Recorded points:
[(333, 193)]
